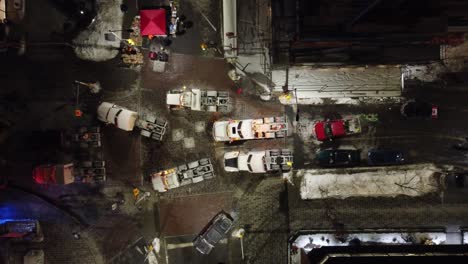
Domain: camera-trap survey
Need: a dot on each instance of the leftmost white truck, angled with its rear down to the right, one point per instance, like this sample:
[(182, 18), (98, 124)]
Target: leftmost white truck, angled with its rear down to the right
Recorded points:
[(127, 120)]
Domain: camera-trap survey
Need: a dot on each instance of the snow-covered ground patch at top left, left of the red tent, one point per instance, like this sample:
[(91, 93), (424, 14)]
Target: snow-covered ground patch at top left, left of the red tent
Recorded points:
[(91, 44)]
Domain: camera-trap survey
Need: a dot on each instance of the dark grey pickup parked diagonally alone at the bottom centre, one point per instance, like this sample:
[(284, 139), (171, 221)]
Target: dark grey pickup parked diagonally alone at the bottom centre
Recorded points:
[(217, 230)]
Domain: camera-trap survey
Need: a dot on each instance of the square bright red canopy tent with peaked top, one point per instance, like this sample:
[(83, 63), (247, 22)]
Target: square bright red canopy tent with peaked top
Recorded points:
[(153, 22)]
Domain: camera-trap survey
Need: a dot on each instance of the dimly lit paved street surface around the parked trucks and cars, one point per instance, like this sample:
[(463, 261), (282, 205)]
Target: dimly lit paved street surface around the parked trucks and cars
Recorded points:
[(39, 100)]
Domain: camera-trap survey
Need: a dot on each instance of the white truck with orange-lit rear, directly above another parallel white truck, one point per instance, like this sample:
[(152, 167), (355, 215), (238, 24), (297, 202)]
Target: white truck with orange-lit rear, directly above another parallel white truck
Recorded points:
[(263, 128)]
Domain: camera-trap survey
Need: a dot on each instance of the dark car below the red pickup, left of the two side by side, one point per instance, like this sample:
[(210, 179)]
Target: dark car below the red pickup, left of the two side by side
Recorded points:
[(338, 157)]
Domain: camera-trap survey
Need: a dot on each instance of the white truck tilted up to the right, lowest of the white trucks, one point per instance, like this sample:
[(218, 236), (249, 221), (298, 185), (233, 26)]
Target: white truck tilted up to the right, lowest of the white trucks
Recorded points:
[(189, 173)]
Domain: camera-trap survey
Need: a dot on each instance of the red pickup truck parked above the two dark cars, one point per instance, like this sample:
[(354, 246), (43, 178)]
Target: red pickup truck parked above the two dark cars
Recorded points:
[(330, 129)]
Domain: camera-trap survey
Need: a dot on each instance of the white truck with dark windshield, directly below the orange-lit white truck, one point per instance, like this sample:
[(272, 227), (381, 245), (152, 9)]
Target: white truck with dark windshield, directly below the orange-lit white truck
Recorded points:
[(262, 161)]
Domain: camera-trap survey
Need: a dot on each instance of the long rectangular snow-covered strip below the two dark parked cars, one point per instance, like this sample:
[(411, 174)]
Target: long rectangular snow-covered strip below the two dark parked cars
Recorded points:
[(409, 180)]
